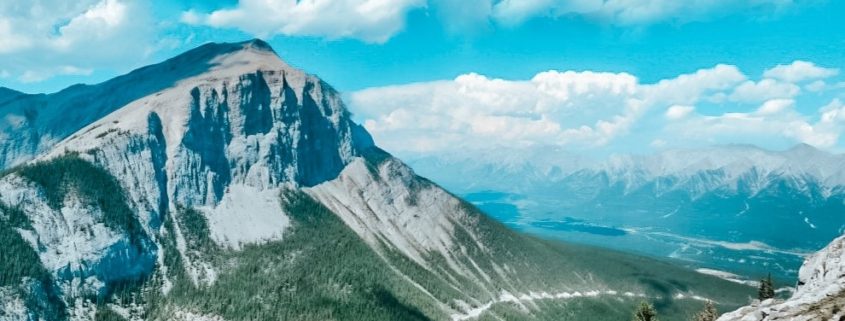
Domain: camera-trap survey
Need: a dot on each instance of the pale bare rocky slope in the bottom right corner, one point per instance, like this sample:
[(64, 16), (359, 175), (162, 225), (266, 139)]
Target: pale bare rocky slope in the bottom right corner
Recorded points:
[(820, 294)]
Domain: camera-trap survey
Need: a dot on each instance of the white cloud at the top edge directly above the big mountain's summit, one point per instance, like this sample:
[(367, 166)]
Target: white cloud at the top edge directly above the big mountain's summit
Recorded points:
[(368, 20)]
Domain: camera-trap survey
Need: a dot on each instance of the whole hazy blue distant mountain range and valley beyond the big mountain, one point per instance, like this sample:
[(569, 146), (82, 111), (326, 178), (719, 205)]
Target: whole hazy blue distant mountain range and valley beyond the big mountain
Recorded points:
[(693, 204)]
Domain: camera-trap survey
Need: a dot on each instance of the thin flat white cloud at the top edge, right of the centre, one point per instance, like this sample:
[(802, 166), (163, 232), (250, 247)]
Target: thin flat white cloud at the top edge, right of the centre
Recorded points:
[(631, 12)]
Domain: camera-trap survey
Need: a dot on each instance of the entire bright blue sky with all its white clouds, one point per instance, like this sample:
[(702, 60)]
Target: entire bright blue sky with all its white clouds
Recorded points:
[(470, 52)]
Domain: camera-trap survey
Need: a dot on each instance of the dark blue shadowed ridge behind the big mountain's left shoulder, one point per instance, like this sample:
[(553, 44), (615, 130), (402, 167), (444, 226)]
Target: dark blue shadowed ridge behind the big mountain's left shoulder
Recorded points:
[(35, 123)]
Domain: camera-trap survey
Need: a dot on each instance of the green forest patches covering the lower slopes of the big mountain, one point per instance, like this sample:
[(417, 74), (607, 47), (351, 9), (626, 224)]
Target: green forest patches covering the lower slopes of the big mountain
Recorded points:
[(322, 270)]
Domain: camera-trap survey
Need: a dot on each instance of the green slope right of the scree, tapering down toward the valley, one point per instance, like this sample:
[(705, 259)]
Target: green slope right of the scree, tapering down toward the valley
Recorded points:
[(552, 265)]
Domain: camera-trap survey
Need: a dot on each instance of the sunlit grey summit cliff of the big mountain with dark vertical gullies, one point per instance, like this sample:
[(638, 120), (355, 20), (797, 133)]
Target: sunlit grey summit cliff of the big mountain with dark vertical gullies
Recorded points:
[(249, 119)]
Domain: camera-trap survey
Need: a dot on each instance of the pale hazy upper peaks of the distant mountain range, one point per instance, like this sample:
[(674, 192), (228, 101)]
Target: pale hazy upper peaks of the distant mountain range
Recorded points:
[(528, 167)]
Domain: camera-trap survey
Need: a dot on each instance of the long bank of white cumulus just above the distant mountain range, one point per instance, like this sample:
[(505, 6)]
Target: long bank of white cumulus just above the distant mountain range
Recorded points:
[(593, 110)]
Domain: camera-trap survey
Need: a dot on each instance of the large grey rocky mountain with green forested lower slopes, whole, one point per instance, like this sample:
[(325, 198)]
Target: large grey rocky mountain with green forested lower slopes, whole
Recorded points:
[(224, 184)]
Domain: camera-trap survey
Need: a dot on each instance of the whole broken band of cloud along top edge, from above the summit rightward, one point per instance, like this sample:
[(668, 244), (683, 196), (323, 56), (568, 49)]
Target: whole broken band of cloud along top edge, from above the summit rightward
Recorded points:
[(376, 21)]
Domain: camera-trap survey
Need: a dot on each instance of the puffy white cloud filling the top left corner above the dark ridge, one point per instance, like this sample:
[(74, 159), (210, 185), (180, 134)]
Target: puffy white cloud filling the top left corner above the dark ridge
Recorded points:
[(43, 38)]
